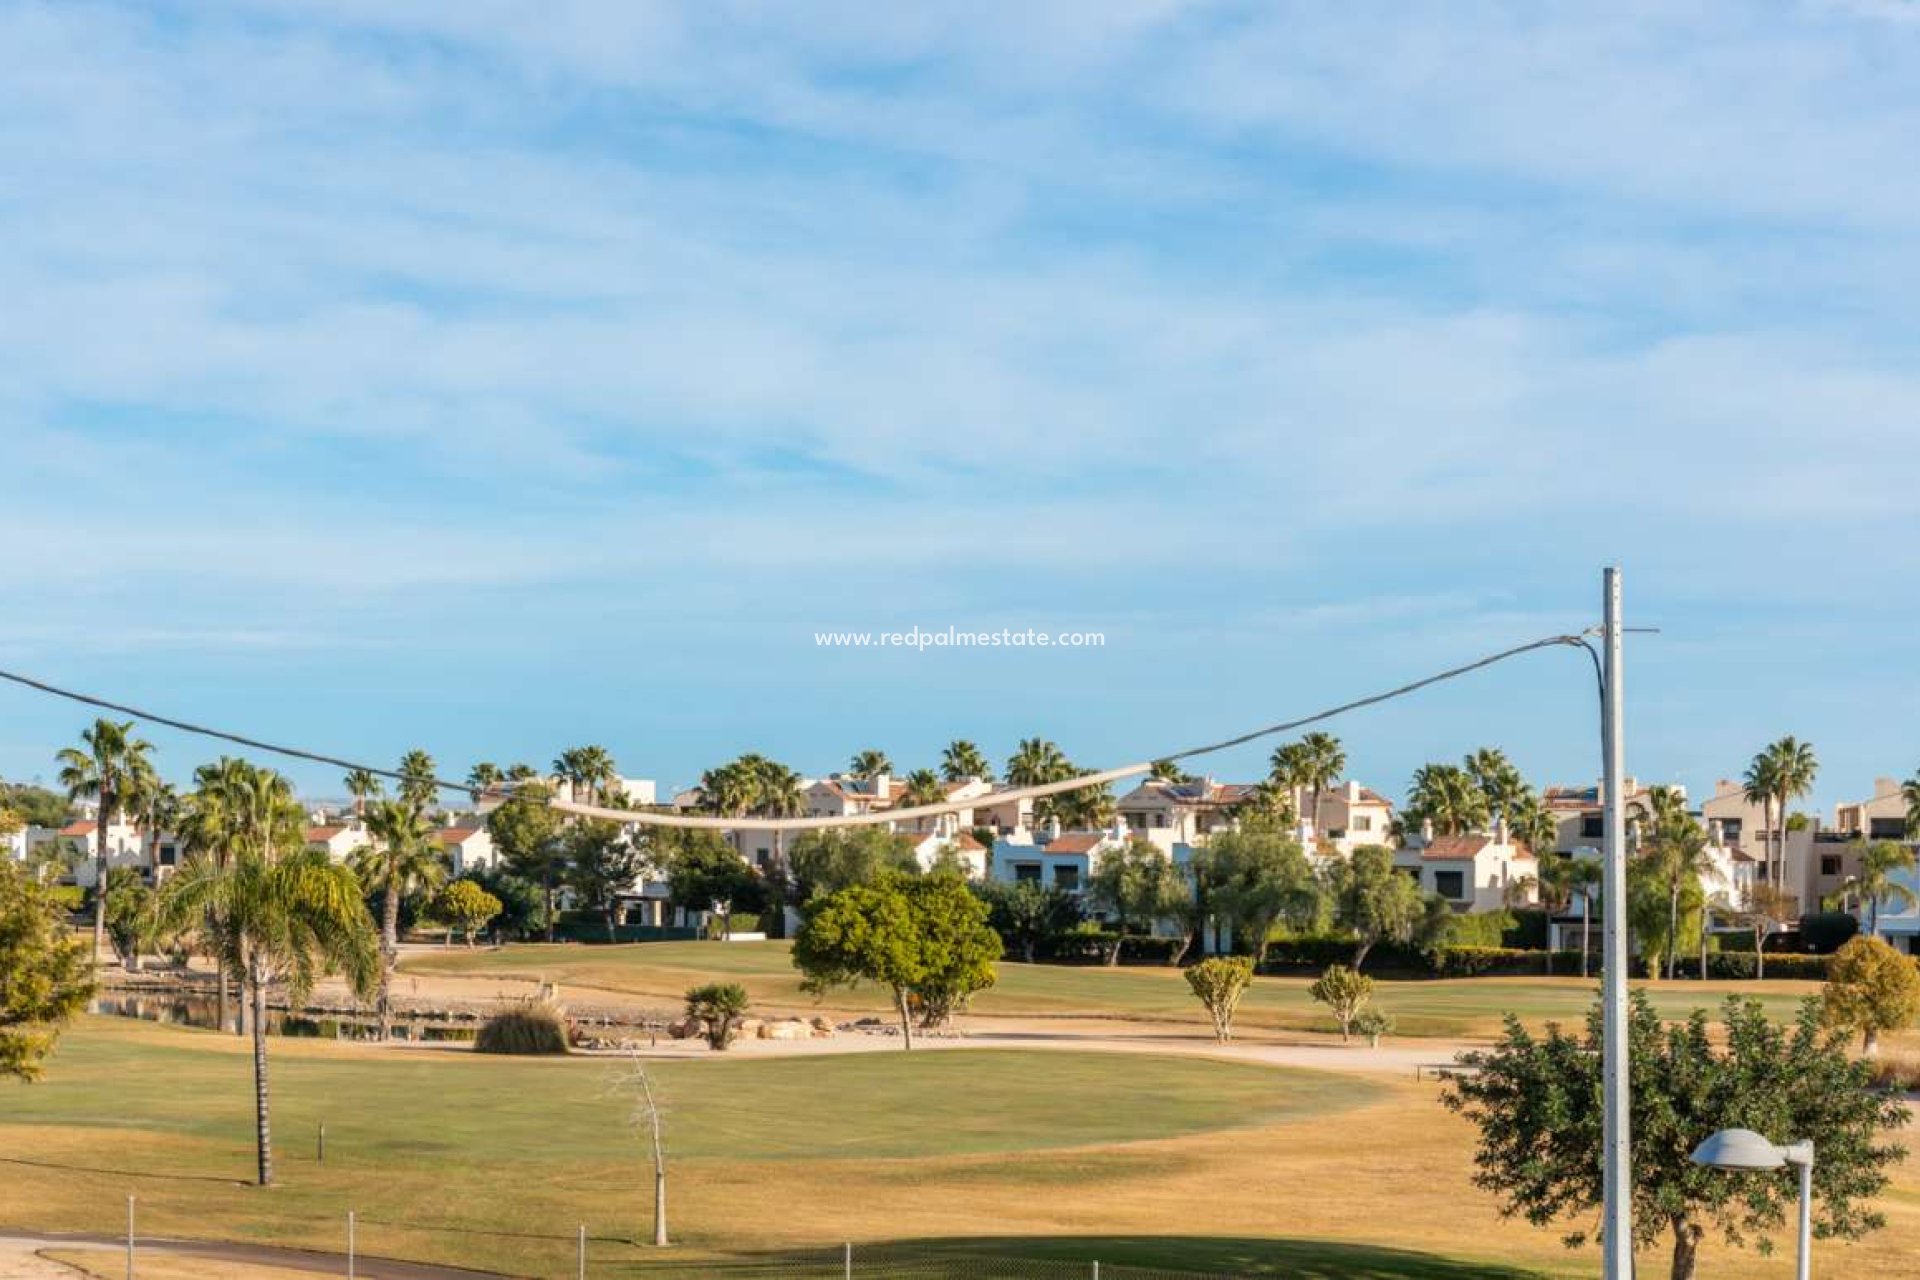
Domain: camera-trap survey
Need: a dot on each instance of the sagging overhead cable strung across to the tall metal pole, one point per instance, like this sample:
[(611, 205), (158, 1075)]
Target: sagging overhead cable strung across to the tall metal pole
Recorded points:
[(717, 822)]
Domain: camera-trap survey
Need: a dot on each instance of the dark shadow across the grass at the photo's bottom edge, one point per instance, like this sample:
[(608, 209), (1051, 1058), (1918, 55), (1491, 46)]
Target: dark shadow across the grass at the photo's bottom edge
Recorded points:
[(1122, 1258)]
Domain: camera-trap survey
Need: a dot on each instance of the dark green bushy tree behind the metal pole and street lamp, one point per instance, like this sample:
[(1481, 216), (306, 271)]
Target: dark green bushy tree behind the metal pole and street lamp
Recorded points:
[(1537, 1106)]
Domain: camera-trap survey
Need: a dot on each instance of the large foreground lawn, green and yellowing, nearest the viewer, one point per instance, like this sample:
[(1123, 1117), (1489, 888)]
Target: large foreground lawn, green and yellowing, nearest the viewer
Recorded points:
[(492, 1164)]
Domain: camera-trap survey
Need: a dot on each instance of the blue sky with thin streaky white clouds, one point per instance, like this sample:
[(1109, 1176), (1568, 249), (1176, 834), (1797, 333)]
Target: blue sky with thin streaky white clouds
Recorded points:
[(506, 377)]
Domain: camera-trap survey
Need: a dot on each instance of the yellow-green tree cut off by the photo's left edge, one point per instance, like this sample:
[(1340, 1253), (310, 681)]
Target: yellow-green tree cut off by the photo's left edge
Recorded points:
[(45, 978)]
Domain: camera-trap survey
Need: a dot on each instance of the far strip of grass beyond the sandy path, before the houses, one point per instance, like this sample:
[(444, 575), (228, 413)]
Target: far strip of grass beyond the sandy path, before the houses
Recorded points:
[(661, 972)]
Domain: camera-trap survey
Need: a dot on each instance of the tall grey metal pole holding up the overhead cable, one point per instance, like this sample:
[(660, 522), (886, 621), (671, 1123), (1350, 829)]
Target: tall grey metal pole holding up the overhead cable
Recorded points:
[(1618, 1173)]
